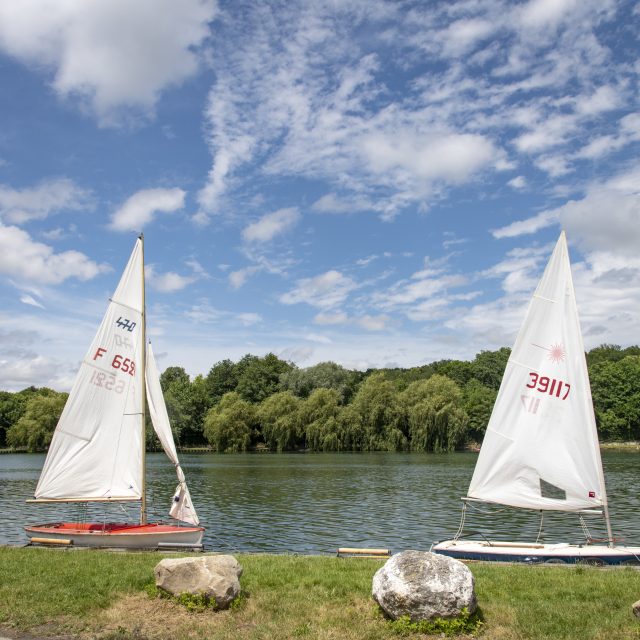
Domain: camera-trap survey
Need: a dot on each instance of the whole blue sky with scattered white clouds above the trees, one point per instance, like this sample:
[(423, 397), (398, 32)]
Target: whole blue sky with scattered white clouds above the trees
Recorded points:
[(377, 183)]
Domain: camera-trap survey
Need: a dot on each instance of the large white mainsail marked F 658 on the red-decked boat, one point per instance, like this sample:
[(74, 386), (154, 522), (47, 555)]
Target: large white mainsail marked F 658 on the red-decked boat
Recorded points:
[(96, 450)]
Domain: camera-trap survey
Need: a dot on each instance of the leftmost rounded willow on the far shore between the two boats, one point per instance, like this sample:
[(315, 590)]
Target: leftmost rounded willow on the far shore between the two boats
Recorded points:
[(229, 426)]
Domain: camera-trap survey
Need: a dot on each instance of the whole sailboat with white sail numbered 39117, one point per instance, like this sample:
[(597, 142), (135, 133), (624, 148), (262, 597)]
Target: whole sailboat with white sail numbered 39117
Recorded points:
[(541, 450)]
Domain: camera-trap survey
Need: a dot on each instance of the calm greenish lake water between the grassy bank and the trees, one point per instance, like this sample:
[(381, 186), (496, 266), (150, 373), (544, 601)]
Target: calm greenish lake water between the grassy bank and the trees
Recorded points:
[(315, 503)]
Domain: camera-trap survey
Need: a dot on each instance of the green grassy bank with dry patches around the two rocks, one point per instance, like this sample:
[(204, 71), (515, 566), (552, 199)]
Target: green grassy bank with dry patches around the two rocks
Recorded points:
[(93, 594)]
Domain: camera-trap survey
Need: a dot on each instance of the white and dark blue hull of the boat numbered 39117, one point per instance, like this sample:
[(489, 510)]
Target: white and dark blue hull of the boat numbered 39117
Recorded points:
[(498, 551)]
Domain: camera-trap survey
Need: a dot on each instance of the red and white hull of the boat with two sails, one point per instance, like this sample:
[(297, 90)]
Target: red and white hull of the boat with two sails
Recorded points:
[(120, 536)]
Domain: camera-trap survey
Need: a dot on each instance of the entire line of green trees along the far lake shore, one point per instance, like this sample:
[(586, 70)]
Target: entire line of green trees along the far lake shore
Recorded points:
[(268, 403)]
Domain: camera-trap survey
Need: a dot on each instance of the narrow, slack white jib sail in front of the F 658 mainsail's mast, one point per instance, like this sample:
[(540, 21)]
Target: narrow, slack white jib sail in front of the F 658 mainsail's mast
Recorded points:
[(182, 508)]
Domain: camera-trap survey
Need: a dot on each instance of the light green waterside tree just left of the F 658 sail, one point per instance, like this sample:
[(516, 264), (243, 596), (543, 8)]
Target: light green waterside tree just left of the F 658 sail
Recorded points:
[(35, 427)]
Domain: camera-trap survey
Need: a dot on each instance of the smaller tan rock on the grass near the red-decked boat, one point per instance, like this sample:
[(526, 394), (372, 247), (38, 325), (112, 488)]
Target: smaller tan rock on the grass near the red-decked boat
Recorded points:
[(213, 576)]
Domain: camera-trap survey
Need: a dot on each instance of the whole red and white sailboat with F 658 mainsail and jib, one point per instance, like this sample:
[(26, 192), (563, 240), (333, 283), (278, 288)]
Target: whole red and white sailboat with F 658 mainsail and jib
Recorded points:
[(97, 453)]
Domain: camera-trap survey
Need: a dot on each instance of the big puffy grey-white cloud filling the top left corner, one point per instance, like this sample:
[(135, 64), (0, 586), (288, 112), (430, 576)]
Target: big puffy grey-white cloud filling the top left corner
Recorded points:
[(114, 55)]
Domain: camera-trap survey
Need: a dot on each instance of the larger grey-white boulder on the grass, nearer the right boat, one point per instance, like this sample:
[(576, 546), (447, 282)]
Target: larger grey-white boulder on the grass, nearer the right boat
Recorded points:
[(423, 586)]
